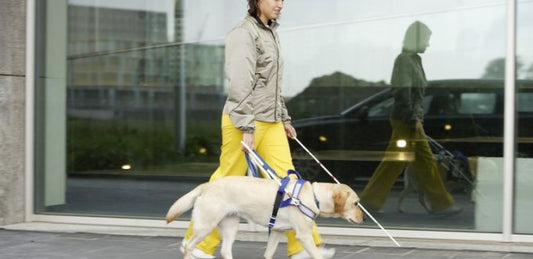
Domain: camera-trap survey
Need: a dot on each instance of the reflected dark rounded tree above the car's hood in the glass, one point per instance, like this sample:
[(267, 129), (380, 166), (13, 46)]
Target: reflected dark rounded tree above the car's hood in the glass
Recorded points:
[(331, 94)]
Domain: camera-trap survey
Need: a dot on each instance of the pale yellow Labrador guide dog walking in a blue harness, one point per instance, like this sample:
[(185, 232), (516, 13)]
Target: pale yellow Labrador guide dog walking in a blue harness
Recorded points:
[(221, 203)]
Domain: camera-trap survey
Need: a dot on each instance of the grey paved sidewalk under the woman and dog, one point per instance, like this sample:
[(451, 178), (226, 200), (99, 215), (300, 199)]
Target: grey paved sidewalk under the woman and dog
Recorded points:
[(48, 240)]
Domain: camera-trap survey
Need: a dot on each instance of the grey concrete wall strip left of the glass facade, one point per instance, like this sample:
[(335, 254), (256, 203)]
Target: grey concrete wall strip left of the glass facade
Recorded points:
[(12, 111)]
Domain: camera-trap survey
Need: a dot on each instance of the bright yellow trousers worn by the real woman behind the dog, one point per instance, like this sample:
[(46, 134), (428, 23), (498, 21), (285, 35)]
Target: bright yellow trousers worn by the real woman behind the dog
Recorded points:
[(272, 145)]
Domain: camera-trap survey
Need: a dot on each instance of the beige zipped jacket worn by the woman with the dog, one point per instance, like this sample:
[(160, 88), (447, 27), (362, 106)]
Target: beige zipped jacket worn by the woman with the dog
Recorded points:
[(254, 72)]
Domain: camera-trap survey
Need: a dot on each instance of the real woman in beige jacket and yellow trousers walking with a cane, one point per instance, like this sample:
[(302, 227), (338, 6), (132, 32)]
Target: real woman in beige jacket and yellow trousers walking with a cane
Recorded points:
[(255, 111)]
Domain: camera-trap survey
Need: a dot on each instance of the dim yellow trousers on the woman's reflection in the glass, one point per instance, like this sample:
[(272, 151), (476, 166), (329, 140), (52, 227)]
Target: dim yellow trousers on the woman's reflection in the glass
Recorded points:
[(427, 172)]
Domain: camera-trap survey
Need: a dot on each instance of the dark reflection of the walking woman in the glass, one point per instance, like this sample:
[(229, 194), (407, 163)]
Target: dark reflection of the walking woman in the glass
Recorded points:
[(409, 81)]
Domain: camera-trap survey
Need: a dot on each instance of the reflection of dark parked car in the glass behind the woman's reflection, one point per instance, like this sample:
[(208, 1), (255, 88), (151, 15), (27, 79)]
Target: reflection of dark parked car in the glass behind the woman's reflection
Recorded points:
[(462, 115)]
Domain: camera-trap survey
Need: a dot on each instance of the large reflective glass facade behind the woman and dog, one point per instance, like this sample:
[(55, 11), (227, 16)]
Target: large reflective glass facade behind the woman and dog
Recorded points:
[(130, 94)]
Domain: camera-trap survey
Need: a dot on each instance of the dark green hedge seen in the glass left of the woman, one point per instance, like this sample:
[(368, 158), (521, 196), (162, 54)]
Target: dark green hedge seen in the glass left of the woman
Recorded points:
[(94, 145)]
